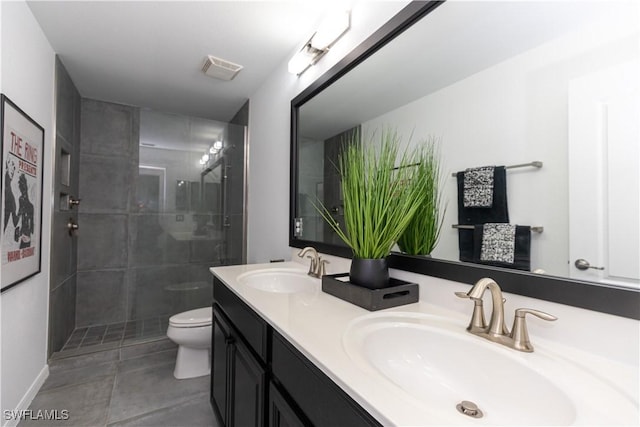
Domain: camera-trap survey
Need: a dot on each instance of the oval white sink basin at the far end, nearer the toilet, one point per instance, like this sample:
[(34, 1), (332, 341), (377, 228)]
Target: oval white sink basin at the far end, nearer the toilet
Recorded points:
[(279, 280)]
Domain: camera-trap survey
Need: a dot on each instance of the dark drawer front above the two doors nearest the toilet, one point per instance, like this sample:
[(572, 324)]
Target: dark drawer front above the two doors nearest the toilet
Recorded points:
[(250, 326)]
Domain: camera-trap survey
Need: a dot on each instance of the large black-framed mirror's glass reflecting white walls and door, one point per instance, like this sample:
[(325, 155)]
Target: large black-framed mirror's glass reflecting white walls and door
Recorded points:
[(503, 84)]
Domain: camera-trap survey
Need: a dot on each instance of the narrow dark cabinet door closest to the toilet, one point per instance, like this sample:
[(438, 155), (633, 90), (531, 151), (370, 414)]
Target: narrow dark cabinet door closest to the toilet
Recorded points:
[(221, 346)]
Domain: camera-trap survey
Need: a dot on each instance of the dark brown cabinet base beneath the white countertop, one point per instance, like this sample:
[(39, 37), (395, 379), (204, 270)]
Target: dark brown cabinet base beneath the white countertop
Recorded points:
[(259, 379)]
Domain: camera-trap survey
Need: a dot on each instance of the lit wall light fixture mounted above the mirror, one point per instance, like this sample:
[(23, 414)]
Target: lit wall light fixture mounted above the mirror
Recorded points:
[(330, 30)]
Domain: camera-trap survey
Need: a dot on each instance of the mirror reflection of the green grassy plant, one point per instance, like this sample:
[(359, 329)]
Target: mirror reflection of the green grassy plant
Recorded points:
[(422, 233)]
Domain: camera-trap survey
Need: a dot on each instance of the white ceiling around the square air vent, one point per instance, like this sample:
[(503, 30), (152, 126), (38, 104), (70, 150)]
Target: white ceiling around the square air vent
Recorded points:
[(150, 53)]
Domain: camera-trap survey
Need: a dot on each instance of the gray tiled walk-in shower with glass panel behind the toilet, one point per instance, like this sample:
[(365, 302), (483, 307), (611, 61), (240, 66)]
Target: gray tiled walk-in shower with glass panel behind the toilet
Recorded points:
[(151, 223)]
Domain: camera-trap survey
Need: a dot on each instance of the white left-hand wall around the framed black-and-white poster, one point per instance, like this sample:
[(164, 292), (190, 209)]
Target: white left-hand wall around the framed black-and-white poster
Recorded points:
[(28, 80)]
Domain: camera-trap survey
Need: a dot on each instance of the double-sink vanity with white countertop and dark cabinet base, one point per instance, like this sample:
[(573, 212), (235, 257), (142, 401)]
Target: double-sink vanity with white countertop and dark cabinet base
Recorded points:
[(285, 353)]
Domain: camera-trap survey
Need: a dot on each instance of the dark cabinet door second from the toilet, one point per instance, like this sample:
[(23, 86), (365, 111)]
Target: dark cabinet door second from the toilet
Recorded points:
[(247, 388)]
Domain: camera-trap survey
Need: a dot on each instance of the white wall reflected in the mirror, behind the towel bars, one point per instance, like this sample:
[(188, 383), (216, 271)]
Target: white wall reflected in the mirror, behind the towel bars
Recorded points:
[(512, 113)]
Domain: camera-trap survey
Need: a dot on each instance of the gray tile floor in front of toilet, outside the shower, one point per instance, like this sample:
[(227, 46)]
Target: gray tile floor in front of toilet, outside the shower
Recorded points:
[(128, 386)]
